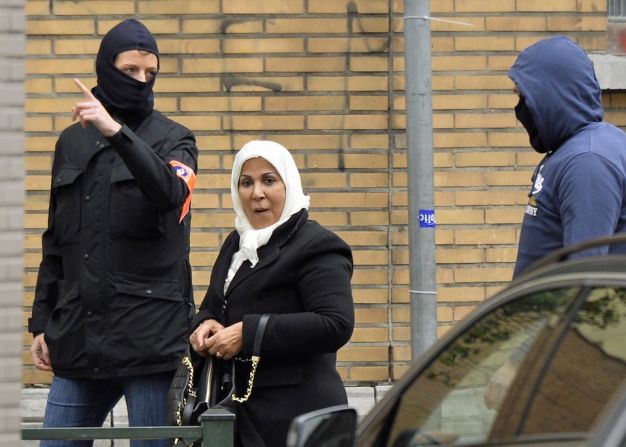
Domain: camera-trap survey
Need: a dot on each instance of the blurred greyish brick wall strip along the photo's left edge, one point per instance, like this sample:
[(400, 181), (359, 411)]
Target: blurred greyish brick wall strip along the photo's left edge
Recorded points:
[(12, 43)]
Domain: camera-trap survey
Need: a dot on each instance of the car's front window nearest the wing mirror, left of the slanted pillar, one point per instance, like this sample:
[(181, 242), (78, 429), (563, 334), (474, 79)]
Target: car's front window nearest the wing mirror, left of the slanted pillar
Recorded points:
[(456, 399)]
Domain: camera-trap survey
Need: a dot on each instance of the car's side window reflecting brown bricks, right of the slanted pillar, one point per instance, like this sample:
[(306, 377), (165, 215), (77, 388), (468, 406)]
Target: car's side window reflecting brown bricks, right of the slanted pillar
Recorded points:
[(585, 372)]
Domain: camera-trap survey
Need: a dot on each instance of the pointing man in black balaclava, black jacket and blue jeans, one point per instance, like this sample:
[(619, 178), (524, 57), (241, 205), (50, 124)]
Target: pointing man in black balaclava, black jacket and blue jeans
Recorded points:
[(113, 299)]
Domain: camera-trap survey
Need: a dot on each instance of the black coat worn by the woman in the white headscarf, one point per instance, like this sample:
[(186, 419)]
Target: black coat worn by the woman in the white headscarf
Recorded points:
[(302, 280)]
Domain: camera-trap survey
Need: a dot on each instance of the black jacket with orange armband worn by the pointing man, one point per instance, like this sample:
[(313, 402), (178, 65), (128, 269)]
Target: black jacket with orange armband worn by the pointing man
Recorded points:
[(113, 295)]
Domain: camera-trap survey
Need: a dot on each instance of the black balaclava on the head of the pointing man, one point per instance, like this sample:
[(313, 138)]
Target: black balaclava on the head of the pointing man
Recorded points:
[(123, 96)]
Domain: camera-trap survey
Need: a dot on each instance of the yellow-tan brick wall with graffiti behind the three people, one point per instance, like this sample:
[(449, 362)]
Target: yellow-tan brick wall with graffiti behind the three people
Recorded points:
[(325, 78)]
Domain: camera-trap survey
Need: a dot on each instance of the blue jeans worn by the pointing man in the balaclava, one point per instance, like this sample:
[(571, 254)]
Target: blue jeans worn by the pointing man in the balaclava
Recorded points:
[(86, 403)]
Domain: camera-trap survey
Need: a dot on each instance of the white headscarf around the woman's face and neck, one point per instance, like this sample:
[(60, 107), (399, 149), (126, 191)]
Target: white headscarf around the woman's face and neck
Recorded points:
[(295, 200)]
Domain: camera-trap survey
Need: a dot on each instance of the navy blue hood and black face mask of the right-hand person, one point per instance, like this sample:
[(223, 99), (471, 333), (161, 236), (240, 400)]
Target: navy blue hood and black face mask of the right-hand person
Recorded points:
[(559, 91)]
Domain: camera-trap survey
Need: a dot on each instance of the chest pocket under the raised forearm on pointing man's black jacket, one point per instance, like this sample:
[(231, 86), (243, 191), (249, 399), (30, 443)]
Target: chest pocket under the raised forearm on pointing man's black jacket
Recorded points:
[(131, 215)]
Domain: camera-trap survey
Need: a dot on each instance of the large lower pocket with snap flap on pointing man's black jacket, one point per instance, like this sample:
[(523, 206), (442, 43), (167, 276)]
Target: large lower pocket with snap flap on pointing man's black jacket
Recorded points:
[(149, 320)]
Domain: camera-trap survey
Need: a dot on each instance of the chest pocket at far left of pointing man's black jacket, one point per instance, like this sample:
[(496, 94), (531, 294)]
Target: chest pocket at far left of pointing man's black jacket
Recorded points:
[(66, 190)]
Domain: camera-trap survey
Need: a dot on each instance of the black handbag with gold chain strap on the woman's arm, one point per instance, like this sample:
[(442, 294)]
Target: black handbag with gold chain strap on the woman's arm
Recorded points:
[(201, 383)]
